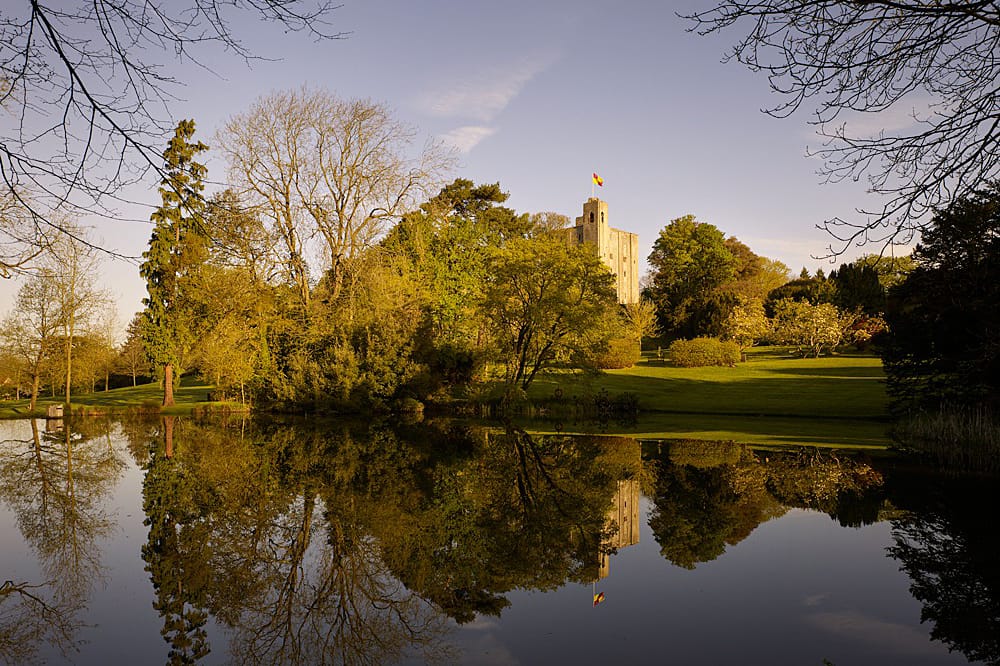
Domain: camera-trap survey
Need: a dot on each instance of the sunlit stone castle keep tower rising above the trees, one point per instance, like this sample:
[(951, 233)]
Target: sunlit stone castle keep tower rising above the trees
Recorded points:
[(618, 249)]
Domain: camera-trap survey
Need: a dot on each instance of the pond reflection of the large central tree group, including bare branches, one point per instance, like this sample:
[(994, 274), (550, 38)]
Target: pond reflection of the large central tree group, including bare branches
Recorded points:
[(356, 546)]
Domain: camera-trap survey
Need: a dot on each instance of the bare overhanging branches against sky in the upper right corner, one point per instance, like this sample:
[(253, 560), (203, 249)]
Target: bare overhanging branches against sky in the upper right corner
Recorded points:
[(837, 57)]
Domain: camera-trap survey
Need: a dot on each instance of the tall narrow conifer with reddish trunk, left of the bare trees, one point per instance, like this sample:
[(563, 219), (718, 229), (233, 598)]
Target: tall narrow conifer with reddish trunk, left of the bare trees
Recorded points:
[(177, 247)]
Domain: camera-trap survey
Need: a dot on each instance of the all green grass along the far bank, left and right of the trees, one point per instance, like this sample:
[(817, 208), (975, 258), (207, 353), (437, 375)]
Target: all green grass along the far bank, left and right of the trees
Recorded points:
[(773, 399)]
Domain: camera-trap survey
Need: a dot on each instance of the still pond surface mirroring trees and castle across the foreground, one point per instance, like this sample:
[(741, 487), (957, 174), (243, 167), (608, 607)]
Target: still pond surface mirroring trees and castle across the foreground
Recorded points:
[(180, 541)]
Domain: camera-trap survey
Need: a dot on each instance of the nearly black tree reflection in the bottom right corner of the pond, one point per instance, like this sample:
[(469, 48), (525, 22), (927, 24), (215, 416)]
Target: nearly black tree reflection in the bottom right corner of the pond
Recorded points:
[(947, 543)]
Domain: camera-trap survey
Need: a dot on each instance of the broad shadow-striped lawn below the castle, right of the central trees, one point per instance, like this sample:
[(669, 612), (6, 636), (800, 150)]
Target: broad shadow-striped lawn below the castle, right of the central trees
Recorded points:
[(772, 399)]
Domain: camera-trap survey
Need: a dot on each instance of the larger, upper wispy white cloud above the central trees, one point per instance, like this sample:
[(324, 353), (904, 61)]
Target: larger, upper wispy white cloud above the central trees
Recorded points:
[(483, 95)]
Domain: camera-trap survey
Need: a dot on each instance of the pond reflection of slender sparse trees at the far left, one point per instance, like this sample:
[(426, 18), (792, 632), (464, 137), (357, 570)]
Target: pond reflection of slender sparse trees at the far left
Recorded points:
[(56, 482)]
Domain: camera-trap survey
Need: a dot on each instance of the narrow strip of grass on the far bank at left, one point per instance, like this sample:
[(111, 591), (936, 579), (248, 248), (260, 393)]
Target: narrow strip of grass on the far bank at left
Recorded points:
[(190, 395)]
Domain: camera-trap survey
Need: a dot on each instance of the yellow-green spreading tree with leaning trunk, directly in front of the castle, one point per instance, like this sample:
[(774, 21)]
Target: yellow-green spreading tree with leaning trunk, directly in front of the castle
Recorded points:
[(542, 299)]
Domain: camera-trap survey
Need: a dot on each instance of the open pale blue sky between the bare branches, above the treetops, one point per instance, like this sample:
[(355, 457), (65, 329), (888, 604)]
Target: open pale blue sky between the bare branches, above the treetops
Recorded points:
[(537, 95)]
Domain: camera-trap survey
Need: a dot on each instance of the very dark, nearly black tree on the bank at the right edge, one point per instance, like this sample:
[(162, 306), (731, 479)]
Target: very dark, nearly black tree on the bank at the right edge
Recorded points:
[(943, 318)]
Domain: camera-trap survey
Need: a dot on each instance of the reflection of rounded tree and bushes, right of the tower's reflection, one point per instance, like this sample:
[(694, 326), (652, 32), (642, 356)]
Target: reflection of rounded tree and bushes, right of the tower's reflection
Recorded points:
[(710, 495)]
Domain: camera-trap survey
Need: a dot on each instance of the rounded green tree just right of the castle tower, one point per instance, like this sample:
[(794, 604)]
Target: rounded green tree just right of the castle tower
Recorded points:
[(689, 263)]
